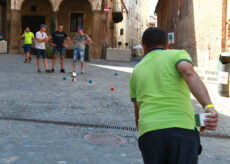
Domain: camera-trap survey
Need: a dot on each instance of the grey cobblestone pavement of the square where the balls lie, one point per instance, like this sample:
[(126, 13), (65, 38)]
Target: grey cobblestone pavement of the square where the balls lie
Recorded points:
[(26, 94)]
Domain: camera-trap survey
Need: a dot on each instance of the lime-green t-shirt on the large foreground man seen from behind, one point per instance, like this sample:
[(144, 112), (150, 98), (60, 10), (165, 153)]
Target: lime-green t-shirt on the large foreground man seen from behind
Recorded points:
[(161, 93)]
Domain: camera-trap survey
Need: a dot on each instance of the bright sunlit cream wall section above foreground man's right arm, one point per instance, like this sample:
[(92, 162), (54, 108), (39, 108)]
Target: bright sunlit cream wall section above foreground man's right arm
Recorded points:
[(208, 28)]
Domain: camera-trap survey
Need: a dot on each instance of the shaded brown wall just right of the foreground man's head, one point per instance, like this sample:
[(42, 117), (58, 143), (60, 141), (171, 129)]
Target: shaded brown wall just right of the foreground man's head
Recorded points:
[(177, 16)]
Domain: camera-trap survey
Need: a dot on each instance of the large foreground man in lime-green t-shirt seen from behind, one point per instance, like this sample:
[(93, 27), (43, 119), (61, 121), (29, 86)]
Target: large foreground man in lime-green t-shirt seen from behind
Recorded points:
[(160, 88)]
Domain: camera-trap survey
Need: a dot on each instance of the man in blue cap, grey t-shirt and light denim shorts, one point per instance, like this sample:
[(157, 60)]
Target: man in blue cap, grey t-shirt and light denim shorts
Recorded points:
[(81, 41)]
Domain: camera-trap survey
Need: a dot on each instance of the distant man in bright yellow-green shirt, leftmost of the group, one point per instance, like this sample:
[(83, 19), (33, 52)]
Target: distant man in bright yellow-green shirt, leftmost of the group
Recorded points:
[(28, 40)]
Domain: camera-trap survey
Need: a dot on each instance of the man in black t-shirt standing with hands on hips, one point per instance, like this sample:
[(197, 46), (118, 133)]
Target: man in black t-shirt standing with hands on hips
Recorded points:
[(58, 38)]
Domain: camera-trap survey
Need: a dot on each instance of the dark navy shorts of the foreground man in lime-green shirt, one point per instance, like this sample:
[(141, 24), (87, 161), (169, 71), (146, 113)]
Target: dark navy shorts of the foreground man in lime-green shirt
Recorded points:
[(170, 146)]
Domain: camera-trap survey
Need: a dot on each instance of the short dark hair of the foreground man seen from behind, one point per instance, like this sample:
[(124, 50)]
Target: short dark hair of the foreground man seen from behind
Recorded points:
[(153, 37)]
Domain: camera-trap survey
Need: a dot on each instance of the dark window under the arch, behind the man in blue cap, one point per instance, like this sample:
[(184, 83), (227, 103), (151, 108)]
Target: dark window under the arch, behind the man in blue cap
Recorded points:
[(76, 19)]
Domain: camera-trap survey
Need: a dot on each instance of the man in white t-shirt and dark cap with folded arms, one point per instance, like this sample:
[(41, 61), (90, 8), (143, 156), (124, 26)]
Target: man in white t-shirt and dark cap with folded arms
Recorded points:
[(40, 45)]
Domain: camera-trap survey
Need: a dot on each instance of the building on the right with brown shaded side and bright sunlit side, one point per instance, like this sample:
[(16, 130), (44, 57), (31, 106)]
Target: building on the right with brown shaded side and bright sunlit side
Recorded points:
[(197, 27)]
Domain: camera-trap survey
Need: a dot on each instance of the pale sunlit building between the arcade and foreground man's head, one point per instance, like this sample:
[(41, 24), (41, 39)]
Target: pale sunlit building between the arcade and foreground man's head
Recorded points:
[(136, 20)]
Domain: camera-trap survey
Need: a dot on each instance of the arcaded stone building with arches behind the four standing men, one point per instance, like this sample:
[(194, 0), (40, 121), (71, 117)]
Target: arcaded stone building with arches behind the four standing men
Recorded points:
[(17, 14)]
